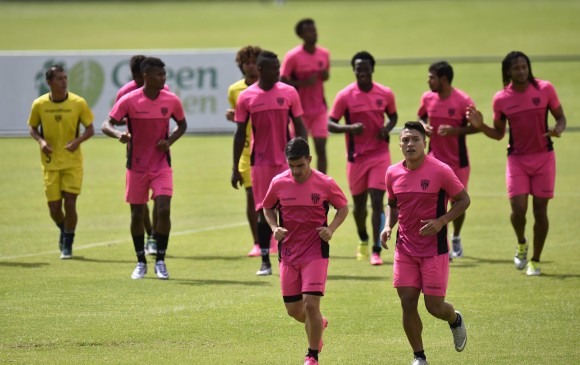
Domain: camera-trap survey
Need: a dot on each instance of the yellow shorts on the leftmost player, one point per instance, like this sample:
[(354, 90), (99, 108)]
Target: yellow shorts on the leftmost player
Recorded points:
[(57, 181)]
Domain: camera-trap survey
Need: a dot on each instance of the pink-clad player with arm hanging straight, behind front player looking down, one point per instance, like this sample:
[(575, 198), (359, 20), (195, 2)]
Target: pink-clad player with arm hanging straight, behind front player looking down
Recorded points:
[(270, 105)]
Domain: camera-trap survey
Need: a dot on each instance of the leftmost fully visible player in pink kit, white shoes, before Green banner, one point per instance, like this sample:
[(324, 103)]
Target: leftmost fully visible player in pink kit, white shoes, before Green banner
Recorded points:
[(148, 111)]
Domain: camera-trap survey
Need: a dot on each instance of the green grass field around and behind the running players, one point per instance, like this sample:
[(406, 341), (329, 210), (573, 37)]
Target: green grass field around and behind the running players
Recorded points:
[(214, 310)]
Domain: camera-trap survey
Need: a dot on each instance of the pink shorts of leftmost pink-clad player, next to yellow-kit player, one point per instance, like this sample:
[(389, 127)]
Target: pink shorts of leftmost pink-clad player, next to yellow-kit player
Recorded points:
[(138, 185)]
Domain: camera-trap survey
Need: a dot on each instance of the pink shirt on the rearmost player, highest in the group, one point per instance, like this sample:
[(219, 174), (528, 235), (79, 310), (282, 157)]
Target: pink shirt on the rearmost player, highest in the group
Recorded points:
[(301, 65)]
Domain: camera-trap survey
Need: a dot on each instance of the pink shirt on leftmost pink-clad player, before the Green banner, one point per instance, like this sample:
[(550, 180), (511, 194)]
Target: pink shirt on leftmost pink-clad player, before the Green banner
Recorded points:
[(148, 123)]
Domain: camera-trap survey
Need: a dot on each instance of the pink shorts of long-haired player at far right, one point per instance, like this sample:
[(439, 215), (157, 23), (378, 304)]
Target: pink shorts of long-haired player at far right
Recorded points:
[(531, 174)]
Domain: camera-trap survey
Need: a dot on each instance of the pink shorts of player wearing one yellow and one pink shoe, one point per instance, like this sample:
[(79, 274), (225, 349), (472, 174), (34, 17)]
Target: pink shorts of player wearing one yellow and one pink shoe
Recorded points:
[(364, 175)]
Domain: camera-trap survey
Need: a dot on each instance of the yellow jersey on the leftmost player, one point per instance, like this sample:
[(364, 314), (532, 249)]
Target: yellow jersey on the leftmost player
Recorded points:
[(59, 124)]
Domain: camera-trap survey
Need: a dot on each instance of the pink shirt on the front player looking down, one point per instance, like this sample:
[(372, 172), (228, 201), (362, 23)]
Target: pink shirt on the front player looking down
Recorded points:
[(303, 208)]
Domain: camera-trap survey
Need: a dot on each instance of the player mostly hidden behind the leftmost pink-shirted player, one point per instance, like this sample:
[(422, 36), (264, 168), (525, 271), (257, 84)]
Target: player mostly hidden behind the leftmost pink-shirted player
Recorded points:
[(137, 82)]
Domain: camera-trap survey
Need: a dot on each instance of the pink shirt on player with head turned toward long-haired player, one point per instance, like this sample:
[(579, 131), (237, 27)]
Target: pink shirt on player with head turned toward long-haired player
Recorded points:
[(451, 111)]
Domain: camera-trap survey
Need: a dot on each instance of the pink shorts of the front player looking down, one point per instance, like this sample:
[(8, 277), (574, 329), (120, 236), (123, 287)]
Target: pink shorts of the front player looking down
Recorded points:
[(309, 278)]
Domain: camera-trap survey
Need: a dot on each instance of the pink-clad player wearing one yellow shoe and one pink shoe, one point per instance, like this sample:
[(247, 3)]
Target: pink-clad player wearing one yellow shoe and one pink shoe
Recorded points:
[(364, 104)]
